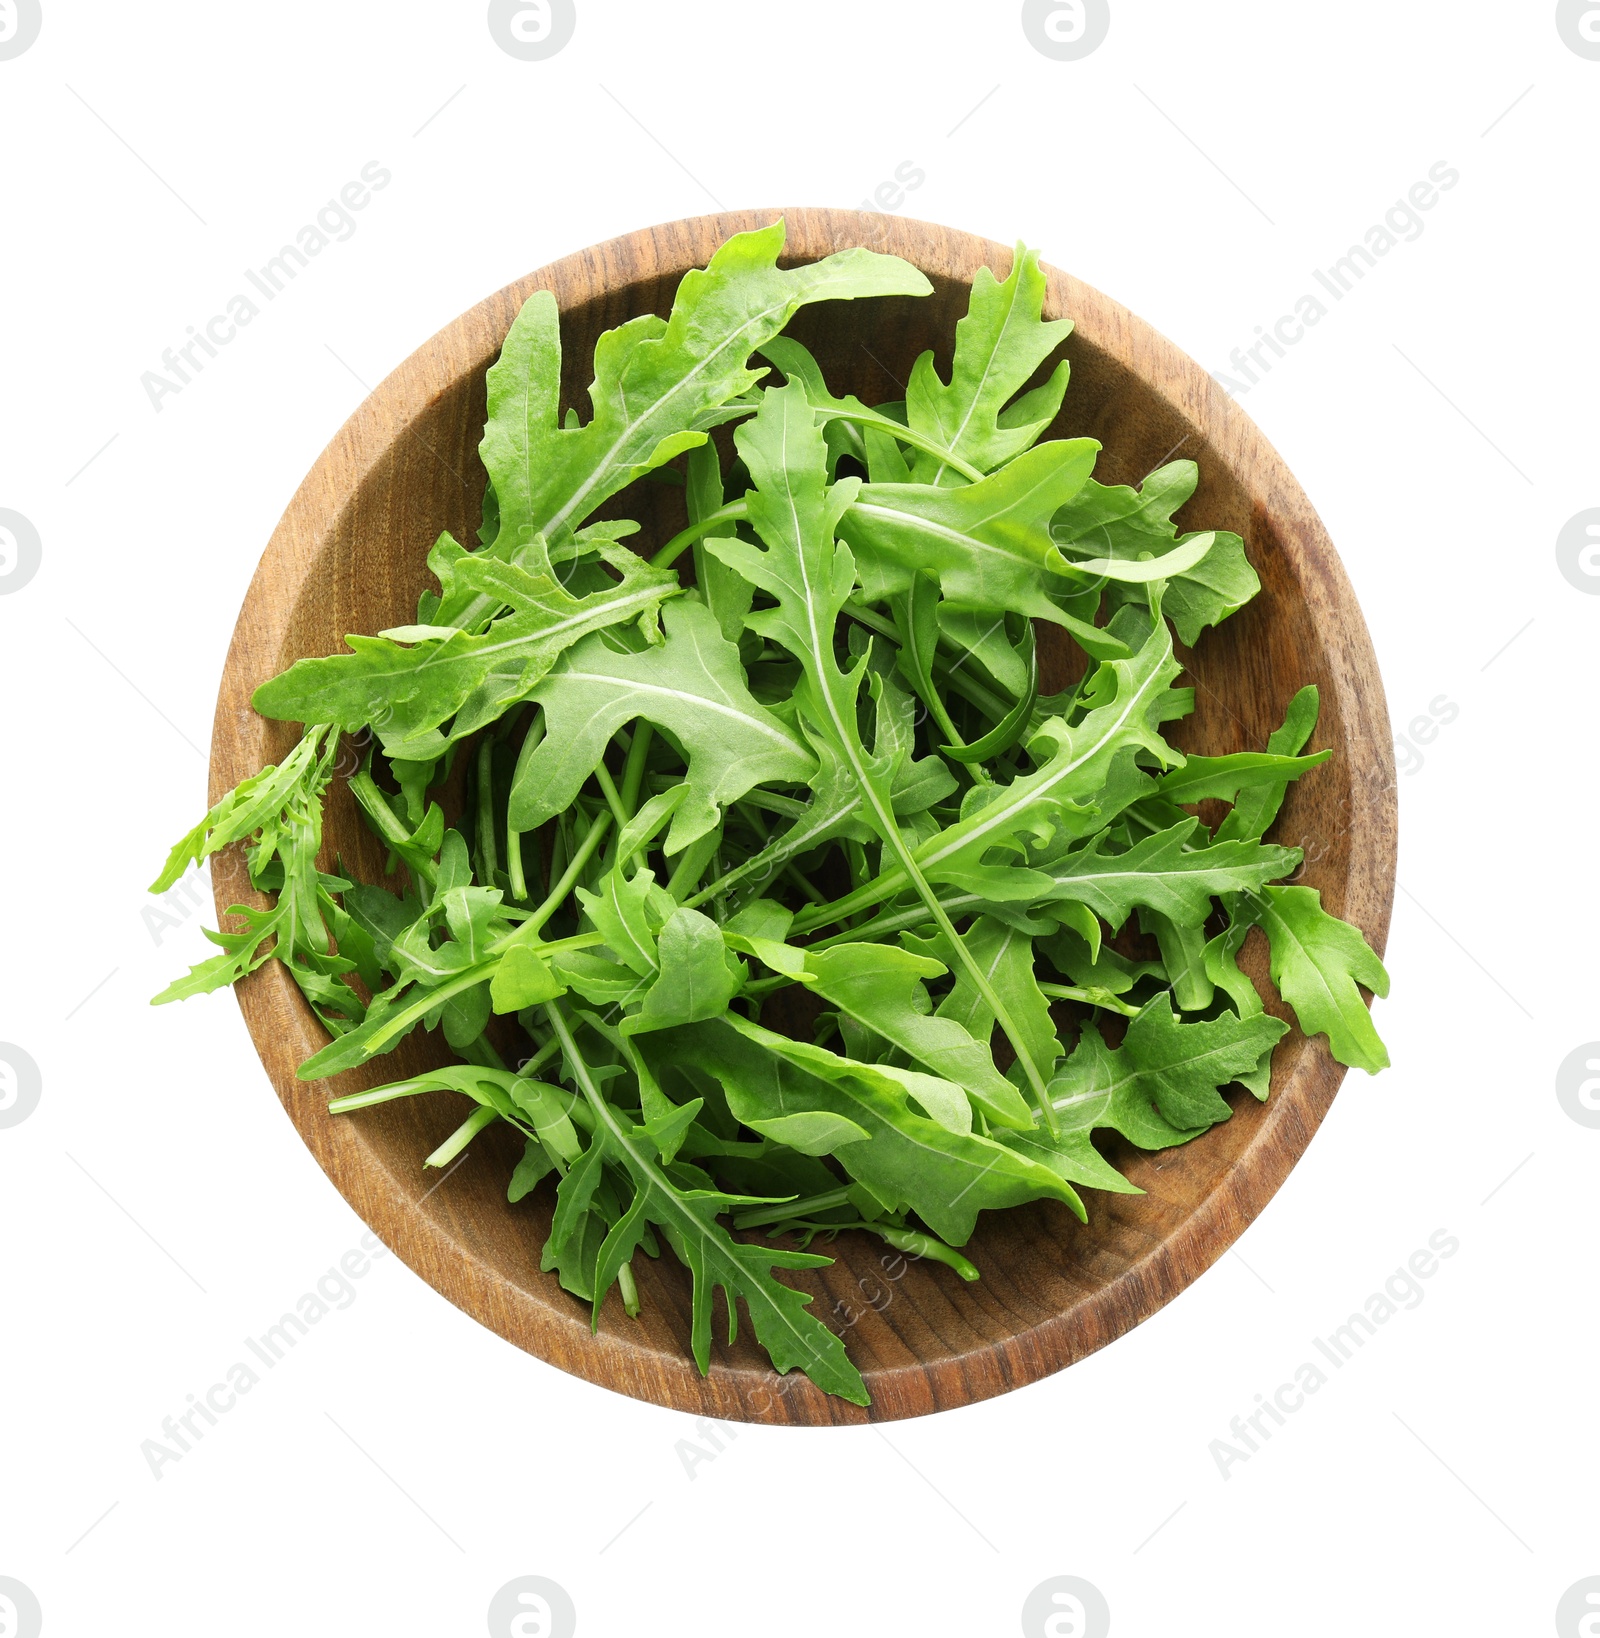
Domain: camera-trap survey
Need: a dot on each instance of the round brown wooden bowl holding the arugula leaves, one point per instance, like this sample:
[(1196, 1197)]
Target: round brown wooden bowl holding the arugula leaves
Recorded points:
[(350, 558)]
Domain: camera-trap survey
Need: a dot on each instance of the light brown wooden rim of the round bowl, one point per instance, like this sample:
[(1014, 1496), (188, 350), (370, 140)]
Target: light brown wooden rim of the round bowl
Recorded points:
[(284, 1031)]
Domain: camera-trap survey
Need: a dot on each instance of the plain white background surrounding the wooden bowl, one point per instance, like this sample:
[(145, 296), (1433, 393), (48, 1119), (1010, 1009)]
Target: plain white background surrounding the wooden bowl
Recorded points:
[(405, 1464)]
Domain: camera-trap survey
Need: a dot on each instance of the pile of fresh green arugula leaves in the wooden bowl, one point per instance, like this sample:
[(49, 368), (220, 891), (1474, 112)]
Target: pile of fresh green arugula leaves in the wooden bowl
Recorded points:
[(823, 764)]
